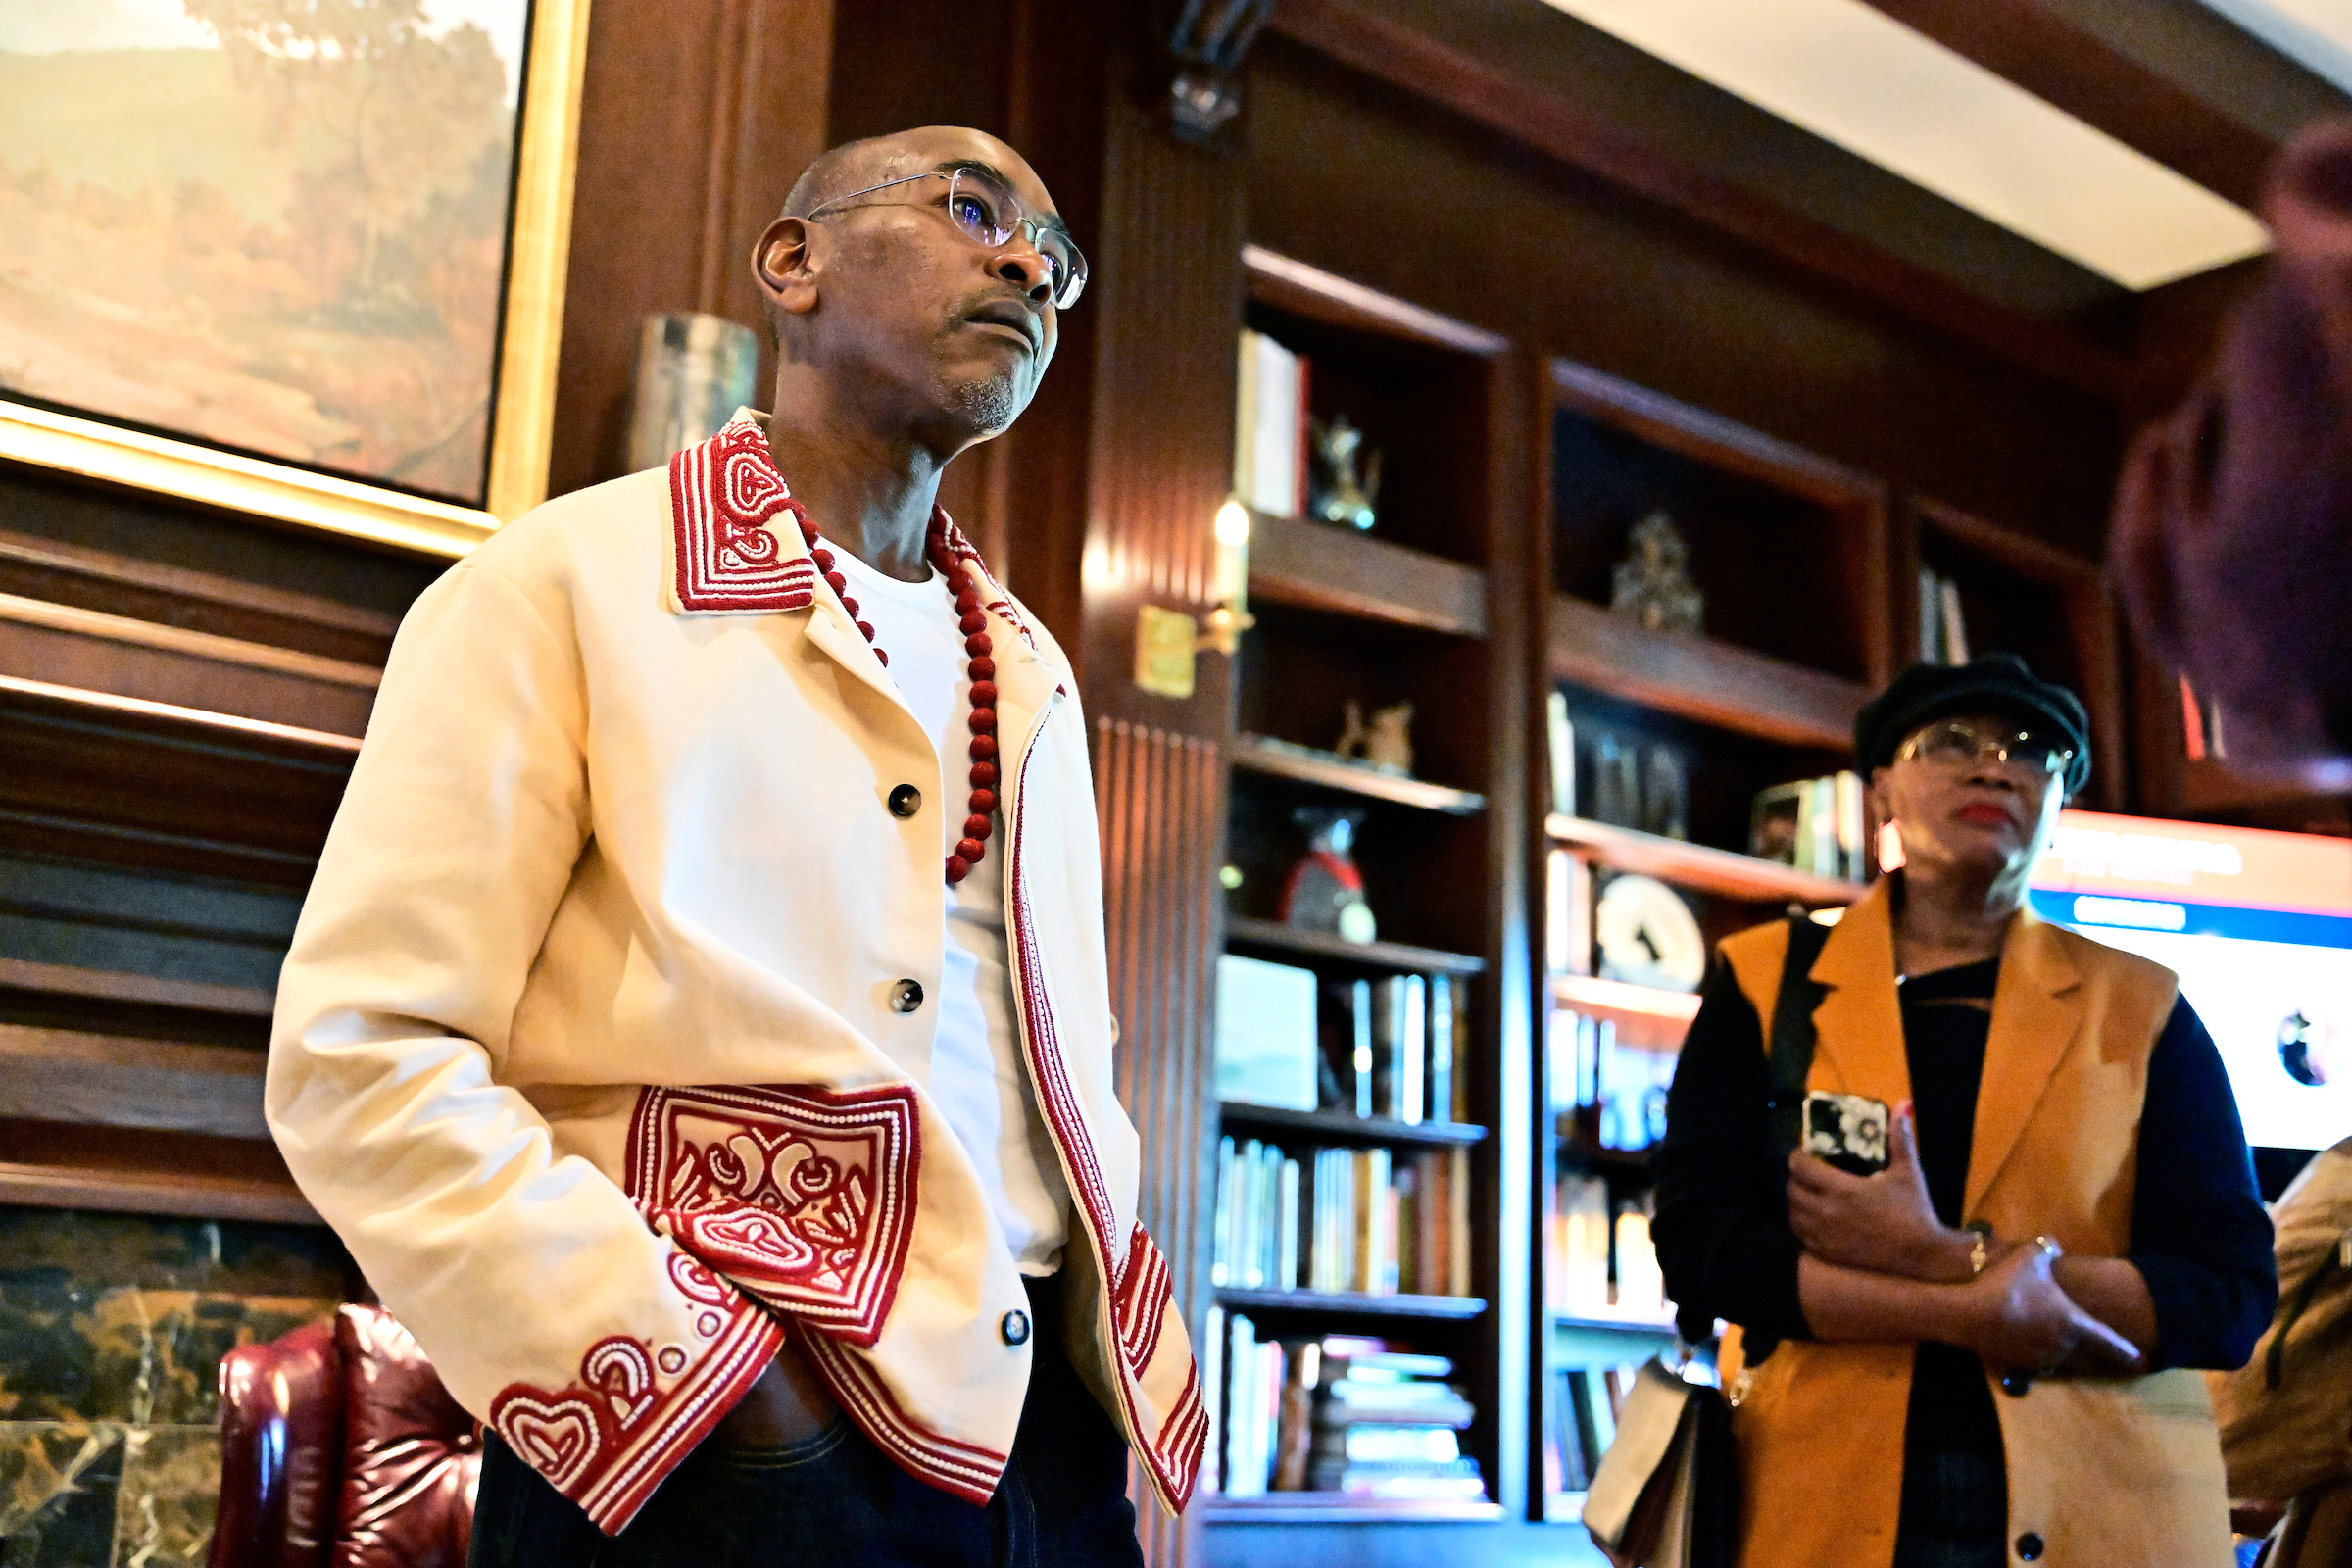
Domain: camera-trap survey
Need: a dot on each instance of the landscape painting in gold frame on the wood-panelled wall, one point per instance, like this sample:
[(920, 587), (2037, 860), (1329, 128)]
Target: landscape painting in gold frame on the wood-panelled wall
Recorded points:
[(290, 257)]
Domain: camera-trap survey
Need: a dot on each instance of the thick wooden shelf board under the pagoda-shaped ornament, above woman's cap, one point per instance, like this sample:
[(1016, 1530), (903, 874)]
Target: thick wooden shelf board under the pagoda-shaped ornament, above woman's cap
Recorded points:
[(1704, 681)]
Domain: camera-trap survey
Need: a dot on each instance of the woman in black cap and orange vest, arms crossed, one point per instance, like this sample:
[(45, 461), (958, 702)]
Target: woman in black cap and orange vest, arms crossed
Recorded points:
[(1977, 1355)]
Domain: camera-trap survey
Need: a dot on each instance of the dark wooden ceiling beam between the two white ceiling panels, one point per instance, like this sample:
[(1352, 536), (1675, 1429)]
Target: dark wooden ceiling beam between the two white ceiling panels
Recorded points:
[(2078, 72)]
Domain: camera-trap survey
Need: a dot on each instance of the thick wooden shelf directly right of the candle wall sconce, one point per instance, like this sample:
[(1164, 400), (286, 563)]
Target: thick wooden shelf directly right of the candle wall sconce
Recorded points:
[(1354, 575)]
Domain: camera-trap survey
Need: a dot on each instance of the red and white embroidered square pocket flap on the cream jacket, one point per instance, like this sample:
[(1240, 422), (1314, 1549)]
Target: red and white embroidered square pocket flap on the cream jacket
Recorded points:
[(803, 1198)]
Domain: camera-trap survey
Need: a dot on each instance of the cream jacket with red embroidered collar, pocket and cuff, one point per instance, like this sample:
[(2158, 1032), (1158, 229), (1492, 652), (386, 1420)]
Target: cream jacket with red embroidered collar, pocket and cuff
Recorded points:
[(587, 1043)]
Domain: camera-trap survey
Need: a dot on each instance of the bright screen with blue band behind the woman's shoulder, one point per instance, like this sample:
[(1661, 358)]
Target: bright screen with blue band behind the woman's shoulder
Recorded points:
[(2257, 925)]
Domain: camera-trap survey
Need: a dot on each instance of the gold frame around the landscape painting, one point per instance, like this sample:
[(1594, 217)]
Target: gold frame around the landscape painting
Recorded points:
[(523, 408)]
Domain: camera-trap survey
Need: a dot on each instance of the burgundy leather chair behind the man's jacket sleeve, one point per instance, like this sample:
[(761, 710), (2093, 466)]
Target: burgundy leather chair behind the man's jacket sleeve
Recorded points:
[(342, 1449)]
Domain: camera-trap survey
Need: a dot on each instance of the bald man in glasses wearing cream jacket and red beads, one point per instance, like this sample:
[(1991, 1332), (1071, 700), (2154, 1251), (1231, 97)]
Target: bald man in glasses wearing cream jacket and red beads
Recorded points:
[(700, 1024)]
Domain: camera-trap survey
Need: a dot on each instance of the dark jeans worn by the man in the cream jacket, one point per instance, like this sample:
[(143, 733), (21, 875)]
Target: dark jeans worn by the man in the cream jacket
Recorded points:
[(838, 1501)]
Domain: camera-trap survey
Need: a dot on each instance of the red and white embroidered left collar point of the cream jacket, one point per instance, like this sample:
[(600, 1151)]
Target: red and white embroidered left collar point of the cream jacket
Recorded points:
[(726, 551)]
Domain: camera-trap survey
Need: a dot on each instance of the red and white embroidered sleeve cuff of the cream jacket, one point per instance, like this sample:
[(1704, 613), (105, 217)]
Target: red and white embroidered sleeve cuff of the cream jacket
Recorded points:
[(639, 1409)]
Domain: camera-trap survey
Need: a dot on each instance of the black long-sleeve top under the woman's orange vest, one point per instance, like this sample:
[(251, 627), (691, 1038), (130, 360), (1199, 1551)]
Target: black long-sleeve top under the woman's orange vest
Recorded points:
[(2200, 1235)]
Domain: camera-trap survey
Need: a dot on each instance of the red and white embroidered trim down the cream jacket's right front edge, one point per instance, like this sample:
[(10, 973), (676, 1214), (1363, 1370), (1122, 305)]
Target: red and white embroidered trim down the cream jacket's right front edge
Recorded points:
[(1172, 1438)]
